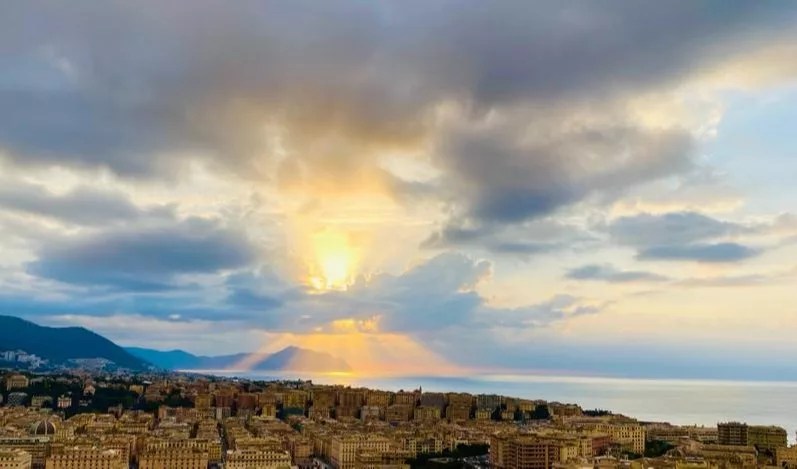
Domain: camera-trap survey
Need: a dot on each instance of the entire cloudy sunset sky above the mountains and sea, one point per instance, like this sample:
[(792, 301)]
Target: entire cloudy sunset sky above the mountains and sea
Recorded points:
[(565, 186)]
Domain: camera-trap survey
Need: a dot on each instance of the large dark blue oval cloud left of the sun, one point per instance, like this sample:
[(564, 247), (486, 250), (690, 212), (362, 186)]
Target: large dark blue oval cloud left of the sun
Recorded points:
[(143, 258)]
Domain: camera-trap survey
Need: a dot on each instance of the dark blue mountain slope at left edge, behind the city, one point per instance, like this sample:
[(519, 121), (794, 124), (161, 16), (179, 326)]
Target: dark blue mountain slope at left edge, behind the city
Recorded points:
[(59, 344)]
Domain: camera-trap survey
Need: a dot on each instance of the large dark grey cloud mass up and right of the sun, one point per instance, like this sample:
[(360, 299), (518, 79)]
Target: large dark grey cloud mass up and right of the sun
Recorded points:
[(509, 179)]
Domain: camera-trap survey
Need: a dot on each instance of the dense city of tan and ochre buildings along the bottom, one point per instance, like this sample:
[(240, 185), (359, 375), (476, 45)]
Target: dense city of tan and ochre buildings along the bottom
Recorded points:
[(81, 419)]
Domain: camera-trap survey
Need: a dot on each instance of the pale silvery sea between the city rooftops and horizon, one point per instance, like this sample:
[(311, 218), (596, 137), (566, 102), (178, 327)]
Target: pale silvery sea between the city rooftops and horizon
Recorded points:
[(680, 402)]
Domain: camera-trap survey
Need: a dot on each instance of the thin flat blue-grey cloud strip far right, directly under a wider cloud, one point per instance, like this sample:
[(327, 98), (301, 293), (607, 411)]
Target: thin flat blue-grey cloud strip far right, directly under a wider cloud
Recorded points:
[(708, 253)]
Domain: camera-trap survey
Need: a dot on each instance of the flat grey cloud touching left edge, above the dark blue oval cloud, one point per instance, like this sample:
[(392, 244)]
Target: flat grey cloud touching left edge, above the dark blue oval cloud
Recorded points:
[(82, 205)]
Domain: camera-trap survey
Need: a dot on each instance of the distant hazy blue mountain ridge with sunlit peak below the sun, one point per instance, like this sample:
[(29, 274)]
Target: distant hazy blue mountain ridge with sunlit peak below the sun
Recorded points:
[(287, 359)]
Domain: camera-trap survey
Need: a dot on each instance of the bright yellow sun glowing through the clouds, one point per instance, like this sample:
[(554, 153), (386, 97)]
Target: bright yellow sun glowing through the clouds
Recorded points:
[(334, 260)]
